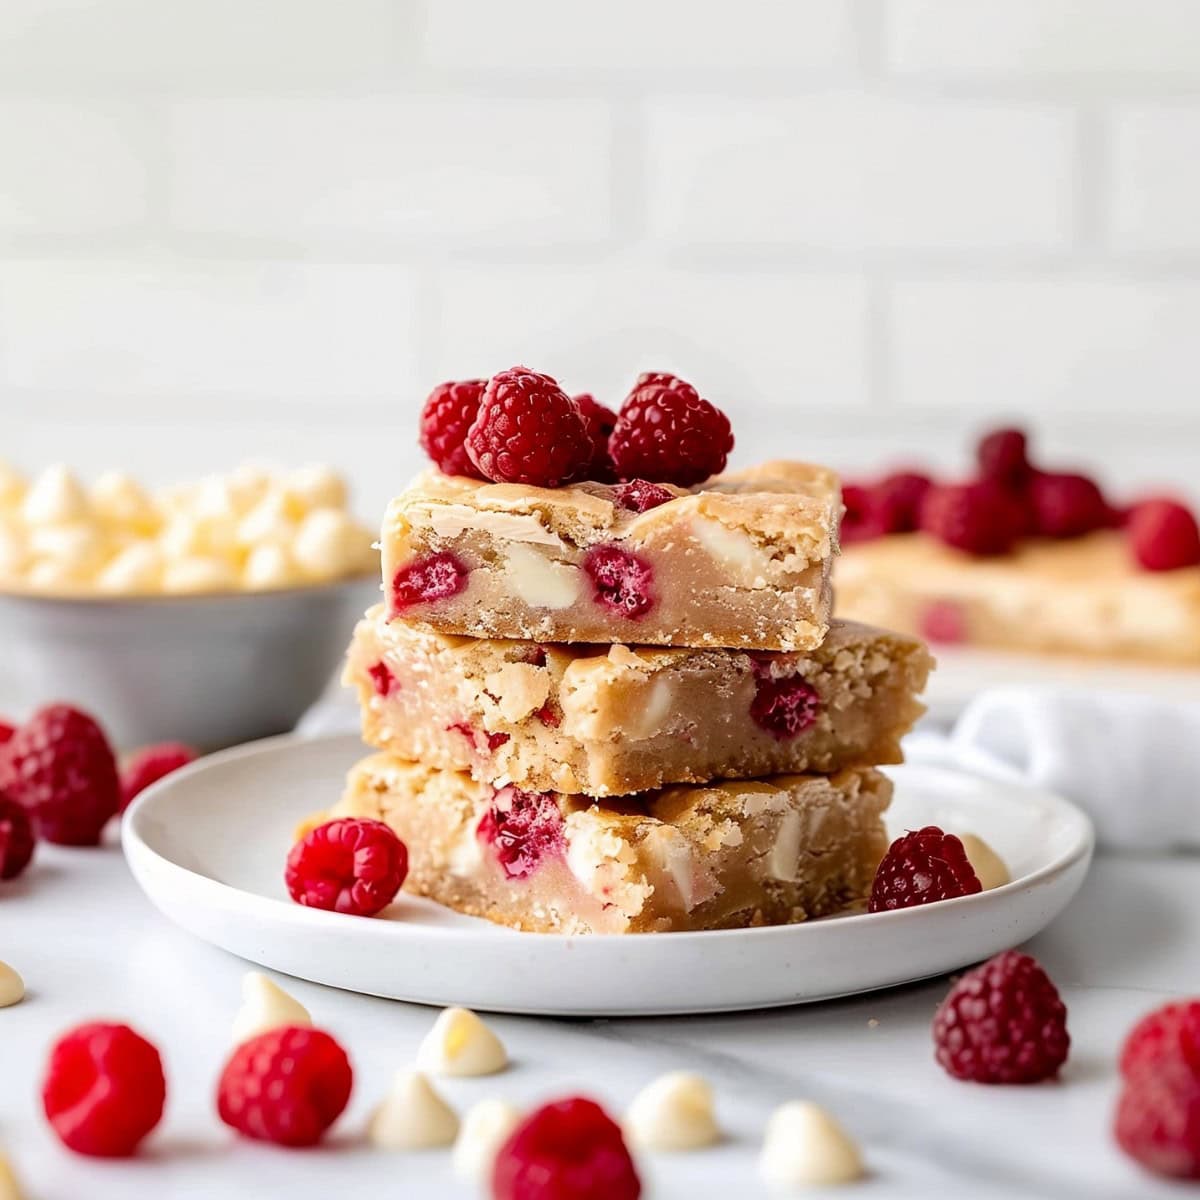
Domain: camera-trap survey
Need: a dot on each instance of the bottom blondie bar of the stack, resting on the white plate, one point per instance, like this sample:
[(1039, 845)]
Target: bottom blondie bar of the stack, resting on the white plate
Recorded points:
[(716, 857)]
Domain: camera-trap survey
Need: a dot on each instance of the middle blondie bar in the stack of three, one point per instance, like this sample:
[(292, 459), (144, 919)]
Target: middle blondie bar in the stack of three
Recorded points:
[(615, 721)]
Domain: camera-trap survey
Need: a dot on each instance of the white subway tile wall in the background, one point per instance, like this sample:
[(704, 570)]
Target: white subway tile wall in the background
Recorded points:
[(865, 227)]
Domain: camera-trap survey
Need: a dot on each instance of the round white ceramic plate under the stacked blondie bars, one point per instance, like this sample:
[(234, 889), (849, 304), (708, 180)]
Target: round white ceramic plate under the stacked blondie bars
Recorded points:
[(208, 847)]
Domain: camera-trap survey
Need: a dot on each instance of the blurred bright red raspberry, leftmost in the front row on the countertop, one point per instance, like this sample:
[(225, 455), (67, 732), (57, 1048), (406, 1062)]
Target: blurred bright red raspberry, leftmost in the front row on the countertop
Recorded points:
[(105, 1090)]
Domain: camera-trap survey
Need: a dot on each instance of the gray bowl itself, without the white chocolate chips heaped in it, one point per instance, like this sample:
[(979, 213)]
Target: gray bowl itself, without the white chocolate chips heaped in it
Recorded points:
[(208, 670)]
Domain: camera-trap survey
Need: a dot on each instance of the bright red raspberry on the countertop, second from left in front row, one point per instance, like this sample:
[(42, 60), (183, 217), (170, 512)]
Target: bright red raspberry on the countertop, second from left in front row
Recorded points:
[(286, 1087)]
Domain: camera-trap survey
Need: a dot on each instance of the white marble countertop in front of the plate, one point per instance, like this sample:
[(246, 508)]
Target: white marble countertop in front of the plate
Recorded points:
[(91, 946)]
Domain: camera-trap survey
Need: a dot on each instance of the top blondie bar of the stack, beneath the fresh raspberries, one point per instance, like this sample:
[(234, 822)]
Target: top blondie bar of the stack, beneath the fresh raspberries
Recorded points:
[(742, 561)]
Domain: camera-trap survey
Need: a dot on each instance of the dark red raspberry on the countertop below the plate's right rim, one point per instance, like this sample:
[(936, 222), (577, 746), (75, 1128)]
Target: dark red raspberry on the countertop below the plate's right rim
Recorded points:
[(1004, 1023)]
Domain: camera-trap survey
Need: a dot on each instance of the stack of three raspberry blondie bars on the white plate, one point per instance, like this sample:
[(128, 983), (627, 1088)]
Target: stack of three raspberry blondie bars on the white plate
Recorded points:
[(623, 707)]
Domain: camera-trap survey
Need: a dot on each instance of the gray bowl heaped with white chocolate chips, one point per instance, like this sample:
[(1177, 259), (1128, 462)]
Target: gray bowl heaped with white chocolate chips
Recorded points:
[(212, 613)]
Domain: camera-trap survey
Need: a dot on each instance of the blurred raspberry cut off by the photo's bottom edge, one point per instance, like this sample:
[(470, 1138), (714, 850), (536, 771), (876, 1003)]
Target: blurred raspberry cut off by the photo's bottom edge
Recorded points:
[(568, 1150)]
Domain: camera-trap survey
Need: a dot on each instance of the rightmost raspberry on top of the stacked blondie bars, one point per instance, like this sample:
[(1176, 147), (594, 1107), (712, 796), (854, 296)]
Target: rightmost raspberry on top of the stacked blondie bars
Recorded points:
[(667, 434)]
